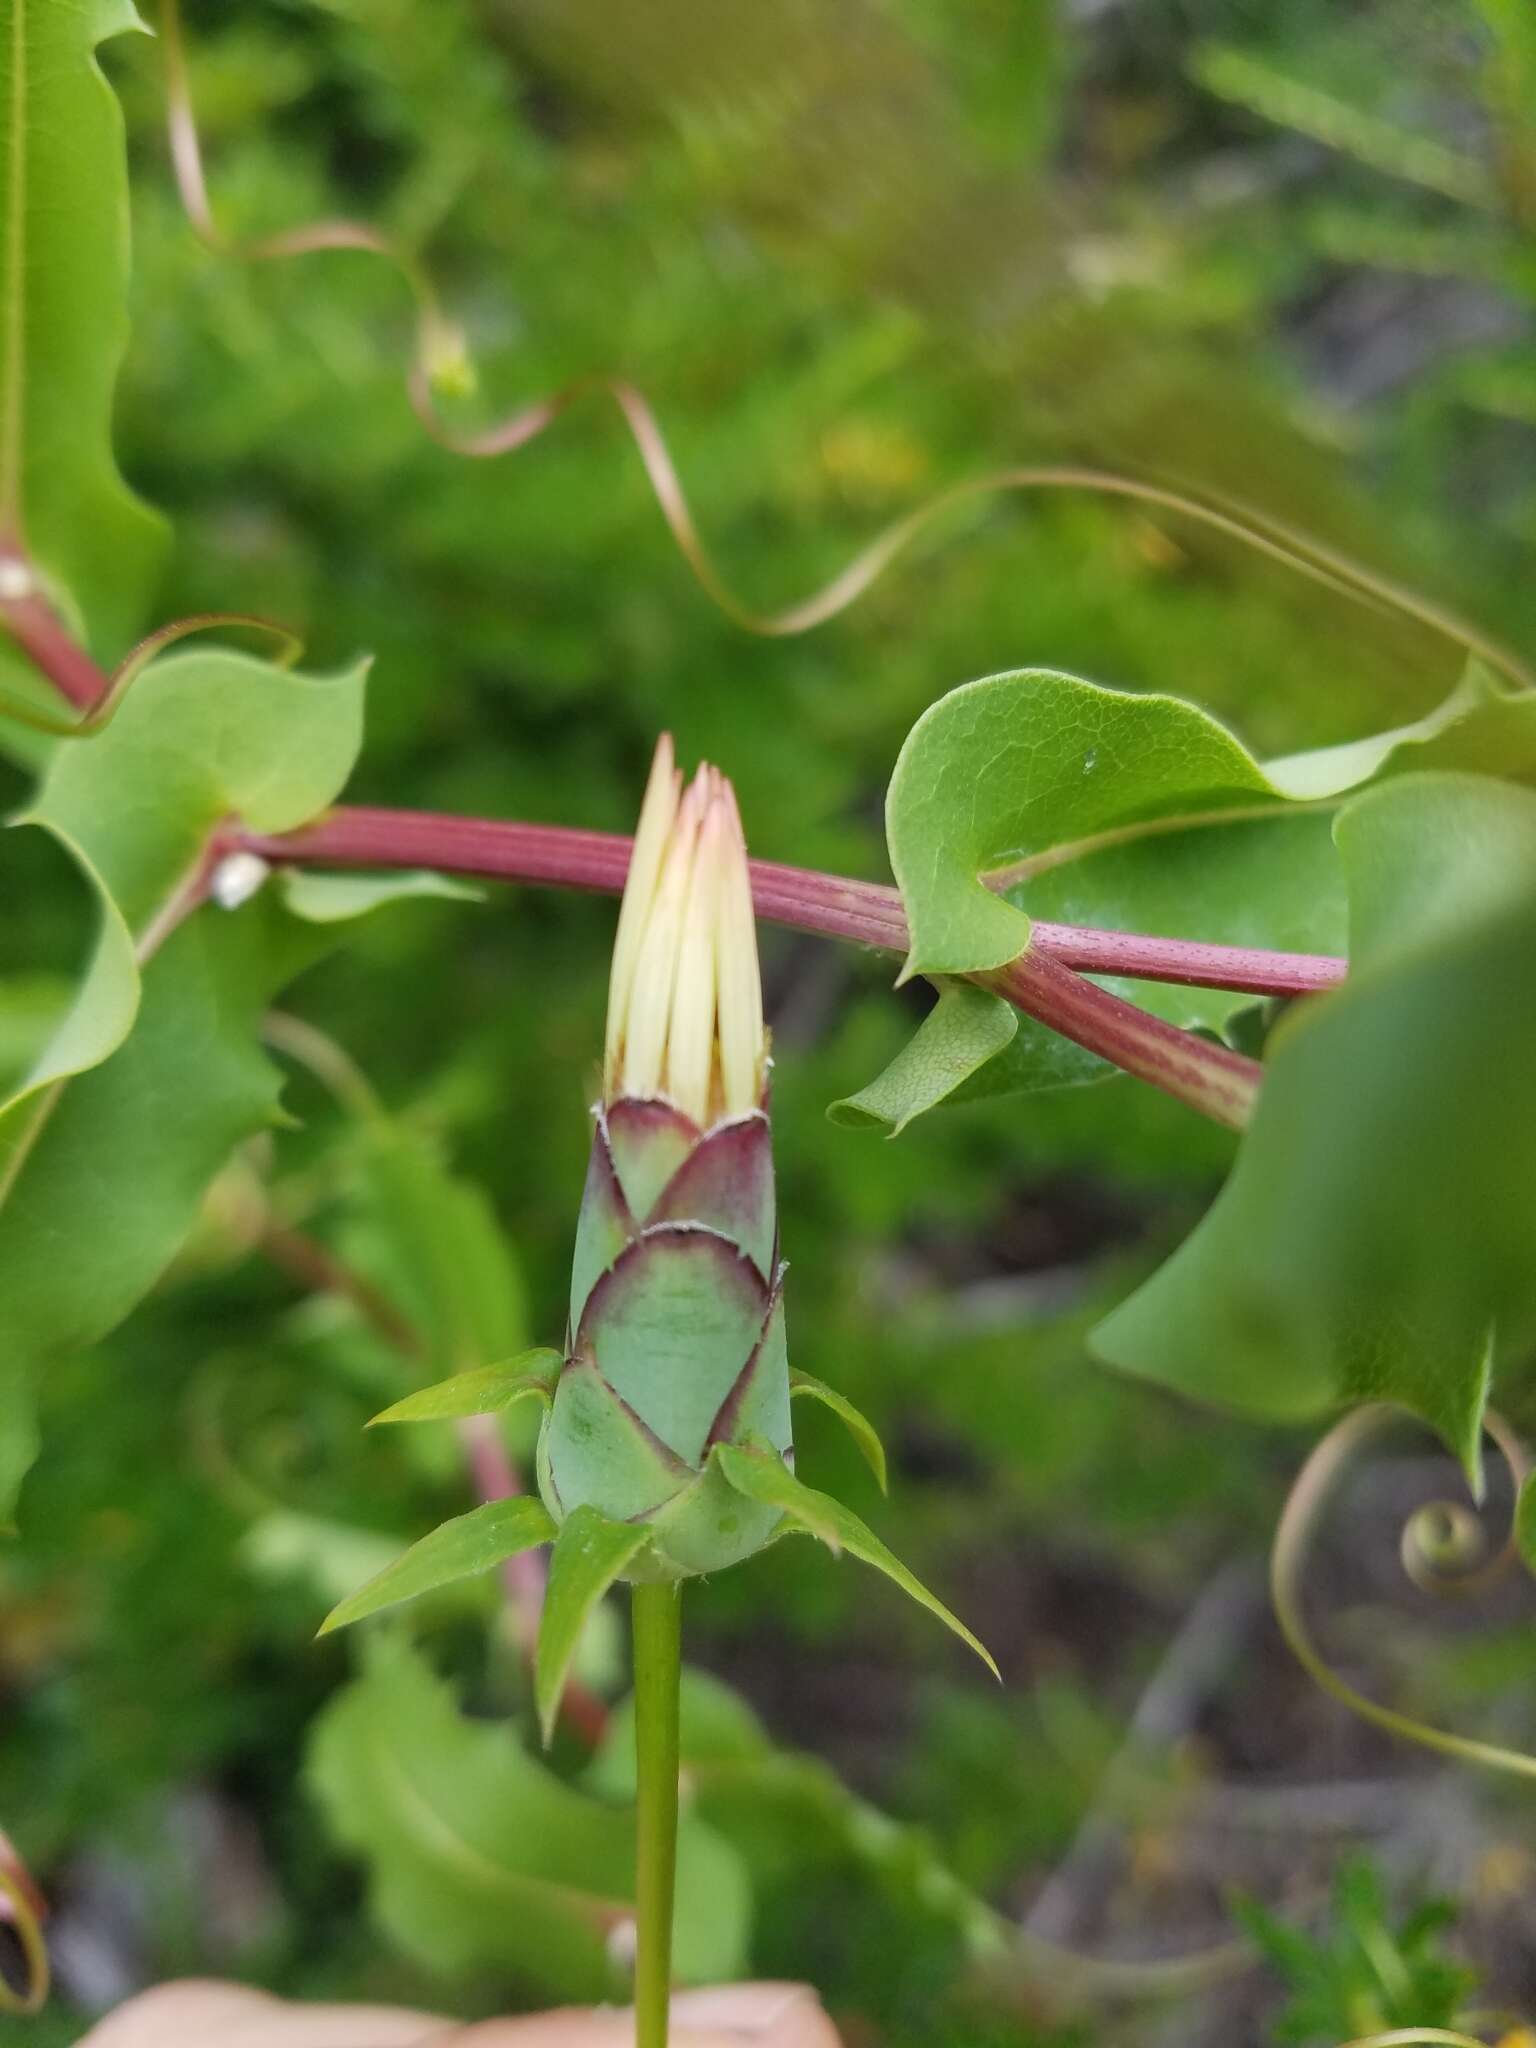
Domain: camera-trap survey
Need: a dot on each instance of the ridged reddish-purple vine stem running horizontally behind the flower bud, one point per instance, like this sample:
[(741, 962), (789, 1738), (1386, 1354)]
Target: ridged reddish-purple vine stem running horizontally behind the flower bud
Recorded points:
[(830, 904)]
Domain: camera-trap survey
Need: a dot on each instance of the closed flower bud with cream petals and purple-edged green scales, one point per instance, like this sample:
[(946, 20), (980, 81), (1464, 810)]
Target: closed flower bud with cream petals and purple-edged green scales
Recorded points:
[(677, 1326)]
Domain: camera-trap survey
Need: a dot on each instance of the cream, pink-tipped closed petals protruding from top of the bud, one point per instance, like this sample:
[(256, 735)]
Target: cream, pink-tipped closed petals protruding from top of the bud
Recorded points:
[(685, 998)]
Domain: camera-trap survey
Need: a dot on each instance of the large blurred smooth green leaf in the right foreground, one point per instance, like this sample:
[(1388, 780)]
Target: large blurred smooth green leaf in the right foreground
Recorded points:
[(1379, 1224)]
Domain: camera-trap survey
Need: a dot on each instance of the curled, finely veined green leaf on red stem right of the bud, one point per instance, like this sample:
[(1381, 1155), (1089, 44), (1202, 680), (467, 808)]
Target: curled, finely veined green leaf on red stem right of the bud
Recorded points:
[(1039, 796)]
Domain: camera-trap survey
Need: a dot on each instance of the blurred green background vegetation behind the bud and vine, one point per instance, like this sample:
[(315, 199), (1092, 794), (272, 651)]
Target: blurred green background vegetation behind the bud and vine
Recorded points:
[(853, 253)]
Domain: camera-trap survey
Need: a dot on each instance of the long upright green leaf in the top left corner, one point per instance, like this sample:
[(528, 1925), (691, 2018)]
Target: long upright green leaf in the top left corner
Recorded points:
[(65, 323)]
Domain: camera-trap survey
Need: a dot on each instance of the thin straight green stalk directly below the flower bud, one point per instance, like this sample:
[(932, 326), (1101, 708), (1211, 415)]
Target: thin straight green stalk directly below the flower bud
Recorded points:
[(658, 1670)]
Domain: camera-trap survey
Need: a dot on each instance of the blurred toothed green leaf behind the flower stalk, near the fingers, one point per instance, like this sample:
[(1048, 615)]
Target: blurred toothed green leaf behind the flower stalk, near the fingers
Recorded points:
[(482, 1861)]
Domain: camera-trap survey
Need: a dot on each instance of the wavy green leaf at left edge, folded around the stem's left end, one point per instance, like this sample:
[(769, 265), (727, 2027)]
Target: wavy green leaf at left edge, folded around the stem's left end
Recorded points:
[(155, 1072)]
